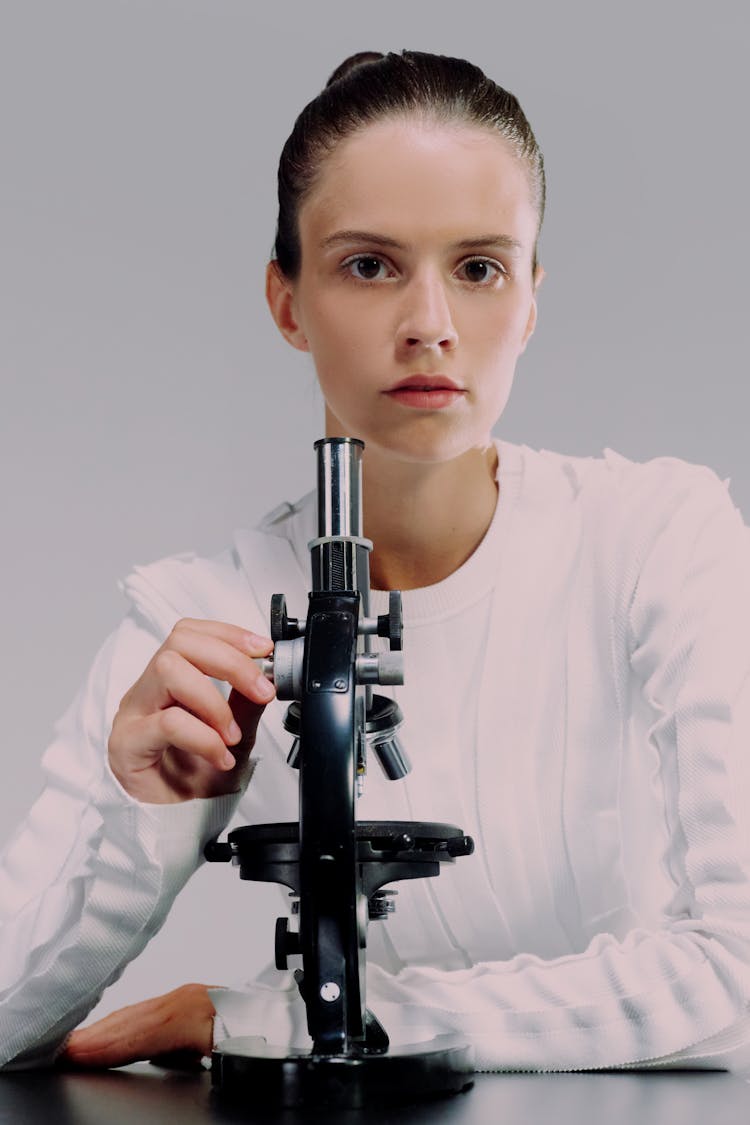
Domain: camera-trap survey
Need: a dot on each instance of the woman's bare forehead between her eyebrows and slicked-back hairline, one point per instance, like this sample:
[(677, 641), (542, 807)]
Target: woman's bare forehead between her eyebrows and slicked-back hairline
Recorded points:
[(418, 181)]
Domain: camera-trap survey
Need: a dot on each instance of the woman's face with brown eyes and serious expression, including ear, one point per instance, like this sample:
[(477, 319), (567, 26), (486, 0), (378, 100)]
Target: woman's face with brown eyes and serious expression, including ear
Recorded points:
[(415, 295)]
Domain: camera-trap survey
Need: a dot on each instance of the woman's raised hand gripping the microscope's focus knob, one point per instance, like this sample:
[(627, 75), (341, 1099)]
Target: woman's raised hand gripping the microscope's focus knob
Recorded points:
[(171, 736)]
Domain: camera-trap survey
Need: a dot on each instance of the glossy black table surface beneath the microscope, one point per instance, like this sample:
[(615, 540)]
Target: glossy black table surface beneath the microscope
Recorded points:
[(146, 1095)]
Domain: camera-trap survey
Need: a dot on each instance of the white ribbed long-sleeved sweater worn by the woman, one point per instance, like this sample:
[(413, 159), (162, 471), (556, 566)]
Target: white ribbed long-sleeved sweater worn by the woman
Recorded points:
[(577, 698)]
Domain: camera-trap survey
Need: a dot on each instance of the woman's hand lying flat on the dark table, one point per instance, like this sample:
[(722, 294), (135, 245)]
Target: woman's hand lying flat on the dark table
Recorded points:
[(179, 1022)]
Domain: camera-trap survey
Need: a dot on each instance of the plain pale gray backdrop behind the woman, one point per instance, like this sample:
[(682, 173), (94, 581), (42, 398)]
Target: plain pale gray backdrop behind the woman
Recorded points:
[(146, 391)]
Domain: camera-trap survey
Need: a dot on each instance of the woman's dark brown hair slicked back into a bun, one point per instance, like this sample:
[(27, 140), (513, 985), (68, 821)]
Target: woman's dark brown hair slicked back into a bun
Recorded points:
[(368, 87)]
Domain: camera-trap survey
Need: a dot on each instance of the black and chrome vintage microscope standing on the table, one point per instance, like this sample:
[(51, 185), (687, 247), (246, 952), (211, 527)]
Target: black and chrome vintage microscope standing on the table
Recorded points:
[(337, 868)]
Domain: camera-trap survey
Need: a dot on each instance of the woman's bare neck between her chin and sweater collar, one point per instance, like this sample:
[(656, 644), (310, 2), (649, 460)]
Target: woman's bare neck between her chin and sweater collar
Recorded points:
[(426, 520)]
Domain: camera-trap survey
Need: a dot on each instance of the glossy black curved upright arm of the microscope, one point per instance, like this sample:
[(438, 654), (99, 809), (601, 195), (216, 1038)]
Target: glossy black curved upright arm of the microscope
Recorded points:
[(331, 897)]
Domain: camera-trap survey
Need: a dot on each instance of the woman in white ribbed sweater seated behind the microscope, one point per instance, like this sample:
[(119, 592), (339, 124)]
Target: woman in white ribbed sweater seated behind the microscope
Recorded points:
[(577, 692)]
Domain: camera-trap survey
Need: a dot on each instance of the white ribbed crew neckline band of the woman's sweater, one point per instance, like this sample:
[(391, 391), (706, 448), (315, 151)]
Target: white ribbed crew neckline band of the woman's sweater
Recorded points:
[(477, 577)]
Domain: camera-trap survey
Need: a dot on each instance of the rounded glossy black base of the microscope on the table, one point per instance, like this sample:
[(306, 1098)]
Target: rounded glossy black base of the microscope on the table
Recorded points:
[(246, 1068)]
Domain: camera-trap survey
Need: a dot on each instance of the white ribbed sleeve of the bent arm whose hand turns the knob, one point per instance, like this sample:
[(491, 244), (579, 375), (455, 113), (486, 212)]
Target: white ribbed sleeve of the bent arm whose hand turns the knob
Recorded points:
[(91, 875)]
